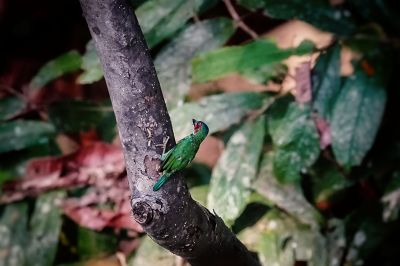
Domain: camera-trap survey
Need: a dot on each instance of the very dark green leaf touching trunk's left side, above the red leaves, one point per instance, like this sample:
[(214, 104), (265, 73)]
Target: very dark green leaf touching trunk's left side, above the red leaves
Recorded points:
[(77, 116)]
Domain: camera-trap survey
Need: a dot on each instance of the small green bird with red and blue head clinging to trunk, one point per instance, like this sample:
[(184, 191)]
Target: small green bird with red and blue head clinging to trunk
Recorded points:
[(182, 154)]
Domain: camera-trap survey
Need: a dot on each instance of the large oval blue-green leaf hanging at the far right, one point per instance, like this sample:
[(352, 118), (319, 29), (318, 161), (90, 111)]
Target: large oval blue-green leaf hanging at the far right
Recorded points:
[(356, 117)]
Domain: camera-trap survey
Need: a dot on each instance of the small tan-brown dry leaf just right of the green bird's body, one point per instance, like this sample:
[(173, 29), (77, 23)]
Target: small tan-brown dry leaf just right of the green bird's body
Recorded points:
[(209, 151)]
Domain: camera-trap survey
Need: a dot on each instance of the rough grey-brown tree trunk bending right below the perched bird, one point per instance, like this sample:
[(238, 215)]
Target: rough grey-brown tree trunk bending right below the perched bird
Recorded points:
[(170, 216)]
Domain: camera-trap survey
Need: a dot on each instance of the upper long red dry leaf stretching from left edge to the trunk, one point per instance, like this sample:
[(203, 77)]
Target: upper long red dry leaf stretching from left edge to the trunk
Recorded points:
[(99, 162)]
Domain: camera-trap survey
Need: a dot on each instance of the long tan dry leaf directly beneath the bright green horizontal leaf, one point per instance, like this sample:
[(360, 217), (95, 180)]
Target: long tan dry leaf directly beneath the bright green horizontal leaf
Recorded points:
[(229, 83)]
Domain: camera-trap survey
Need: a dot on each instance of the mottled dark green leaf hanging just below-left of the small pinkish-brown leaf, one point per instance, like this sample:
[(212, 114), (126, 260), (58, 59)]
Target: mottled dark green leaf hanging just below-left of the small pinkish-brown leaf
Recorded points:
[(295, 136)]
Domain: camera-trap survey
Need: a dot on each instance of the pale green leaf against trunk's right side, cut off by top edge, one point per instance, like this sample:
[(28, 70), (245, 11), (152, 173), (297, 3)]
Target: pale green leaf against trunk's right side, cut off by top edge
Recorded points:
[(160, 19)]
